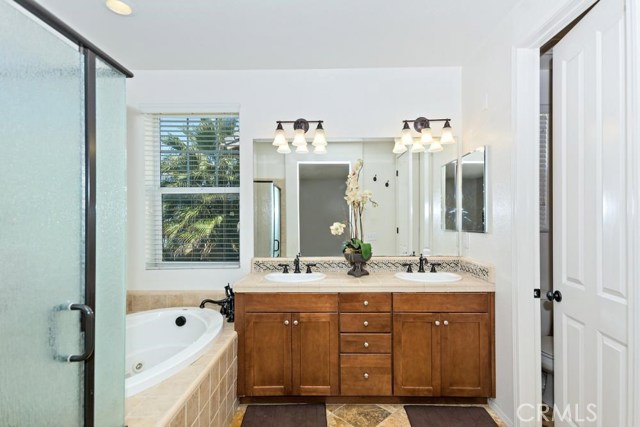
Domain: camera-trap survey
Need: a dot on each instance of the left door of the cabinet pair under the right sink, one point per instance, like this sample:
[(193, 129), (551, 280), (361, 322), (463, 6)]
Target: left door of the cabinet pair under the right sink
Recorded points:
[(416, 354)]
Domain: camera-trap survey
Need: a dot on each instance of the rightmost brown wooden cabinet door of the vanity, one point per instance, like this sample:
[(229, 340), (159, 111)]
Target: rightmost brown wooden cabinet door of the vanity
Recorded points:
[(466, 366)]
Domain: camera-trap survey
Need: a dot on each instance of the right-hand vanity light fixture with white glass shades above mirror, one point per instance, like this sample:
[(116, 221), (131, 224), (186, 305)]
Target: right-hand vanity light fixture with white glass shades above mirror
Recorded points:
[(422, 125)]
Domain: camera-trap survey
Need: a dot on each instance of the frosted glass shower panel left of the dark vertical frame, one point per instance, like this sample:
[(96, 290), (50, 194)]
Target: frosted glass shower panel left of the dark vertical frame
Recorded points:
[(41, 223)]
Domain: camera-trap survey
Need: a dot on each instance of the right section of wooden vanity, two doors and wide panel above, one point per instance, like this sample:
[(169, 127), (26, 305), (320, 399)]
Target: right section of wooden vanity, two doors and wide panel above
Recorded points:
[(446, 352)]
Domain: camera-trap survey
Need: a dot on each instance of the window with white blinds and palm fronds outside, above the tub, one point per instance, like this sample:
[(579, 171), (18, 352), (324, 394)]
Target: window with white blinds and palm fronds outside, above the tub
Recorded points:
[(192, 190)]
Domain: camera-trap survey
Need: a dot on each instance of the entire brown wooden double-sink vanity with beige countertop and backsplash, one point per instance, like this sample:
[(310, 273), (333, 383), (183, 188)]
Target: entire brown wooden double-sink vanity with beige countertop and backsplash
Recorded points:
[(385, 335)]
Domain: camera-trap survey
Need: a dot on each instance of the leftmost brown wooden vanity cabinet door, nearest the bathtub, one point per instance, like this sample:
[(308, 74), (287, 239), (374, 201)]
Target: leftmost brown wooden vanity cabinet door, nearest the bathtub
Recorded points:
[(268, 354)]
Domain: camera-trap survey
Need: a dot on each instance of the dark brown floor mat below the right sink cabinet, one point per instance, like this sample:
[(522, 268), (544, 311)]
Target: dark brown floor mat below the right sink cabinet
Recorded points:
[(448, 416)]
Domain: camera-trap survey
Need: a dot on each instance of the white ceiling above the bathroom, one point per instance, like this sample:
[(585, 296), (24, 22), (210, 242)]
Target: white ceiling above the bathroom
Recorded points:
[(284, 34)]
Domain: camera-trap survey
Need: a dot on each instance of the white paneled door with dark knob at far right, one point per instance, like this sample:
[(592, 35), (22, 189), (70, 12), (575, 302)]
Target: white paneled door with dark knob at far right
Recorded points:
[(589, 146)]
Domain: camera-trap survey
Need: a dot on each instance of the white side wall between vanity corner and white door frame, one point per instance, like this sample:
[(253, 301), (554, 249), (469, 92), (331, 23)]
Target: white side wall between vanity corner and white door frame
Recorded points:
[(488, 111)]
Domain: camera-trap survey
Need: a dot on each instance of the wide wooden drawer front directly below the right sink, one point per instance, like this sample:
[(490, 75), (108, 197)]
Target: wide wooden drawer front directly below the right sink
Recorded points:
[(432, 302)]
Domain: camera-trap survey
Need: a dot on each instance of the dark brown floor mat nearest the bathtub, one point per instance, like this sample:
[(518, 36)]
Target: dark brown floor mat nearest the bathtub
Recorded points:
[(285, 416)]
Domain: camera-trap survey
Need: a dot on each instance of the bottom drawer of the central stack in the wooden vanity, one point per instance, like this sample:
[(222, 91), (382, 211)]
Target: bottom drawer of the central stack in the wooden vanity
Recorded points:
[(365, 375)]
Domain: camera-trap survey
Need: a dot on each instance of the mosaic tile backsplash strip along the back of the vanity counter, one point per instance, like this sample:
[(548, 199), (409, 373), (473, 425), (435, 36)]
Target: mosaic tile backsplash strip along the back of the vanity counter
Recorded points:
[(377, 264)]
